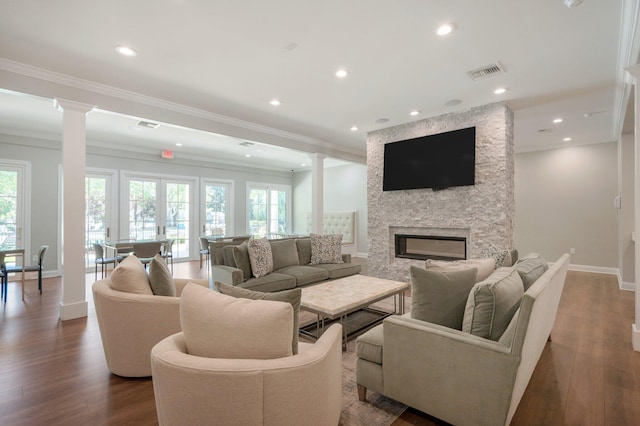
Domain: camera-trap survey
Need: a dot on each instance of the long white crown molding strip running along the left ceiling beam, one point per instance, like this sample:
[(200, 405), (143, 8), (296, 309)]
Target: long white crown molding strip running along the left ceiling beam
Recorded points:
[(103, 89)]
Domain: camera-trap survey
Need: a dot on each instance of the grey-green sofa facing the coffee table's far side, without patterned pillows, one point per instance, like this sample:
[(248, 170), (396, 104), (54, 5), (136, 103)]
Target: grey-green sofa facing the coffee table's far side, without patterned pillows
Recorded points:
[(230, 264)]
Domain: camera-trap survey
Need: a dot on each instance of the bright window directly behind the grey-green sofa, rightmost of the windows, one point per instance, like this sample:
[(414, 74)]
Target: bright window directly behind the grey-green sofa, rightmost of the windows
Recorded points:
[(269, 208)]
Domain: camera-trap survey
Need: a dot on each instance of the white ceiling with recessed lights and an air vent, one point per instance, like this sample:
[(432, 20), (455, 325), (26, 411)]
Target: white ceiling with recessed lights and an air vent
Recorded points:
[(222, 61)]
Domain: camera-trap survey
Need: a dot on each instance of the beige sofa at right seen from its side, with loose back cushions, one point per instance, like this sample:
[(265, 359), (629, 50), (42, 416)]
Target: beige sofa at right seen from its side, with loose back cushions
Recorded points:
[(457, 376)]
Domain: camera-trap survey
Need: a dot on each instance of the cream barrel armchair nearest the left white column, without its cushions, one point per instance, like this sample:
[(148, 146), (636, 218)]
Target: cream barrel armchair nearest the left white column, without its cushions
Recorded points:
[(131, 324)]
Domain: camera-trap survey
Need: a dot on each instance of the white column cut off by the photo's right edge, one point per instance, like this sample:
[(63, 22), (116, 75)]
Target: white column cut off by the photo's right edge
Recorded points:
[(635, 72)]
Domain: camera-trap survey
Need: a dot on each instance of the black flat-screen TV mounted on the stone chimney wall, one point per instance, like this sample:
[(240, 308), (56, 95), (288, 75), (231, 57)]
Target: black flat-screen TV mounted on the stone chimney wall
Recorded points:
[(436, 161)]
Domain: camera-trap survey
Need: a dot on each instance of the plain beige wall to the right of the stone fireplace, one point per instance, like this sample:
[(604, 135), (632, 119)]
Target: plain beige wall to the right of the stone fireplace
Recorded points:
[(564, 199)]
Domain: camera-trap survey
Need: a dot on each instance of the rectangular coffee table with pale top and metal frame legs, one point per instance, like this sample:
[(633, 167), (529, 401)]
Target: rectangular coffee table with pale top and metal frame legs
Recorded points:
[(338, 298)]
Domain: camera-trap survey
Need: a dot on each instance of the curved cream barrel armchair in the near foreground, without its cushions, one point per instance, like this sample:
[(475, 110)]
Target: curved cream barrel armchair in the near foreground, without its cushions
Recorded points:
[(301, 389)]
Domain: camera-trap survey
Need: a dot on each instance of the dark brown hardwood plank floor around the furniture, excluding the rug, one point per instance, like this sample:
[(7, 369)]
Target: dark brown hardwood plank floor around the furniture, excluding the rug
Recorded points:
[(54, 372)]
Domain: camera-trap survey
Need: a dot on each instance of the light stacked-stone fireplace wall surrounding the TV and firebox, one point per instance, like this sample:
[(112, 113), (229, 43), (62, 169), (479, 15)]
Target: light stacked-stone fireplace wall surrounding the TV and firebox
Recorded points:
[(479, 215)]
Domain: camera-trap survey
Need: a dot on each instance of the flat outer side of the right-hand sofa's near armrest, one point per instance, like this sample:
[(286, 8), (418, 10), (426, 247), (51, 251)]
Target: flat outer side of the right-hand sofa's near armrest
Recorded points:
[(454, 376)]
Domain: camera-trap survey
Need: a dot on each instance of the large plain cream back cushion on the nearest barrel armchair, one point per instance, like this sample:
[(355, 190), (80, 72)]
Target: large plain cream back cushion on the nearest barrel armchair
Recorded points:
[(220, 326)]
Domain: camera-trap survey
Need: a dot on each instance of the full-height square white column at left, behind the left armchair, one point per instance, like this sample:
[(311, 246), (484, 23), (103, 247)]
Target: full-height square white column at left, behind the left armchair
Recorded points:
[(74, 300)]
